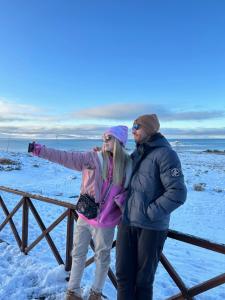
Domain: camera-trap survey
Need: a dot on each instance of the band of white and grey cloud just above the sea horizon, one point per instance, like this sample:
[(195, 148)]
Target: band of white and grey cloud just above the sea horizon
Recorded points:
[(19, 120)]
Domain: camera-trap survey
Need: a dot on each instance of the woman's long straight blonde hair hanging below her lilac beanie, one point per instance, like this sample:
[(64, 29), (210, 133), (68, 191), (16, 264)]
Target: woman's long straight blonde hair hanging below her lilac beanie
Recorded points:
[(120, 161)]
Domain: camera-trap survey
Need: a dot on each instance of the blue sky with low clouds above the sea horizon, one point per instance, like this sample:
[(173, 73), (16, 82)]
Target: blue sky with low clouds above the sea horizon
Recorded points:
[(73, 68)]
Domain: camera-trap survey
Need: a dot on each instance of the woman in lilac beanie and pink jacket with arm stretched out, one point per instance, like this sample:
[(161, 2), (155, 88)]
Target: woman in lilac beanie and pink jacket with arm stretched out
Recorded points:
[(105, 176)]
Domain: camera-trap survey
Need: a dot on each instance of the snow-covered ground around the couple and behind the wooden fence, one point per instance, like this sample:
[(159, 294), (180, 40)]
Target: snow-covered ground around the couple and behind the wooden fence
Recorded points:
[(38, 276)]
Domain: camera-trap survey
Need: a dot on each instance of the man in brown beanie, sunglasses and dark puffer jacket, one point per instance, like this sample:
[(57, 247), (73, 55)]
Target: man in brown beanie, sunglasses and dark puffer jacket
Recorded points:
[(156, 189)]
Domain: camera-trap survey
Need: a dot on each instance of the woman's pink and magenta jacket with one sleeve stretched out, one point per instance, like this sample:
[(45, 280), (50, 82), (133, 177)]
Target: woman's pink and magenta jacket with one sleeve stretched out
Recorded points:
[(90, 164)]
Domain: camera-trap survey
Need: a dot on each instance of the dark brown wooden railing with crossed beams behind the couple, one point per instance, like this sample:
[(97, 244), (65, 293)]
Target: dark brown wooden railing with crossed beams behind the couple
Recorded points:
[(71, 215)]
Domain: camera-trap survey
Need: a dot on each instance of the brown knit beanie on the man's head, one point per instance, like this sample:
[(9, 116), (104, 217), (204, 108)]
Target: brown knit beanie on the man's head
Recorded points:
[(150, 123)]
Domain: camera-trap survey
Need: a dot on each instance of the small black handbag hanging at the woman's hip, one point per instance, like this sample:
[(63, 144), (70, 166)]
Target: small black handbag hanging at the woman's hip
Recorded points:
[(87, 206)]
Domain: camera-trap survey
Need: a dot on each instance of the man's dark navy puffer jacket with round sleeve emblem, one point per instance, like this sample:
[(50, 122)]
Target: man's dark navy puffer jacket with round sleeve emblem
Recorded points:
[(157, 185)]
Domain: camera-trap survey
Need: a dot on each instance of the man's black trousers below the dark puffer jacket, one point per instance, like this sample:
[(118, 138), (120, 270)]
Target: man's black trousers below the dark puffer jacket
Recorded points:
[(137, 255)]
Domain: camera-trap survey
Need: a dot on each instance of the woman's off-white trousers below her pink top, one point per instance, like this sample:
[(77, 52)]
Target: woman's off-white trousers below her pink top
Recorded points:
[(102, 238)]
